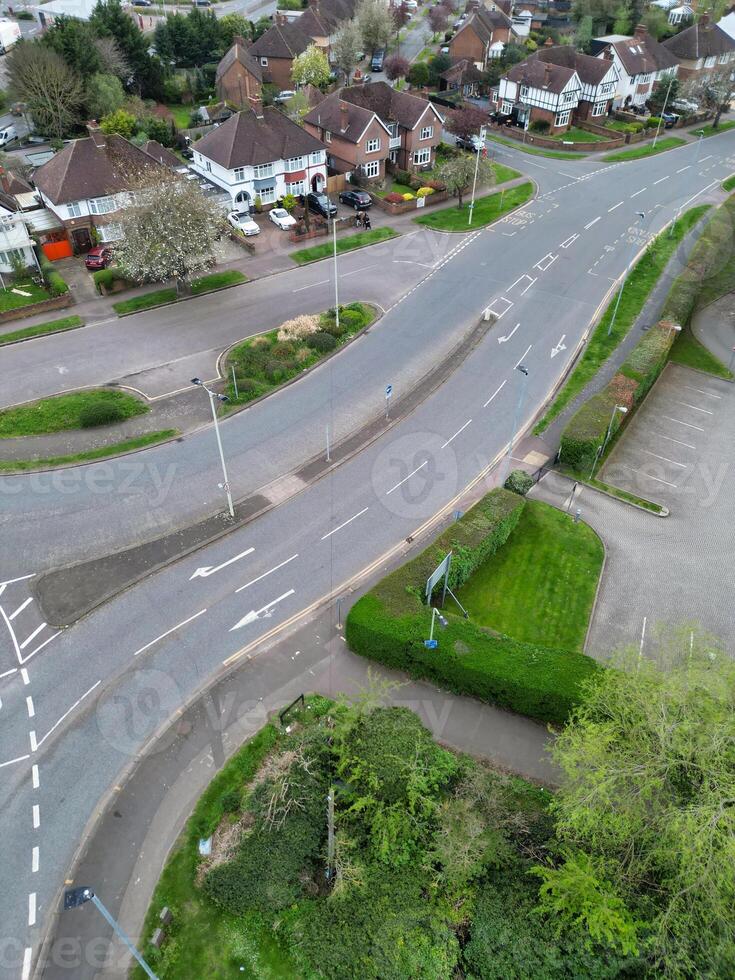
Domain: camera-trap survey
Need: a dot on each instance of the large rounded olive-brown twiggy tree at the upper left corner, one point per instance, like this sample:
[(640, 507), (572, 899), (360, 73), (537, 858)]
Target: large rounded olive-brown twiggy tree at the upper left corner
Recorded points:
[(42, 79)]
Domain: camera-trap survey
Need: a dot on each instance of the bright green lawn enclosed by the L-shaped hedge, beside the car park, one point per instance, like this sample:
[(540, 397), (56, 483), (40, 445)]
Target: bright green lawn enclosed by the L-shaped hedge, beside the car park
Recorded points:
[(540, 586)]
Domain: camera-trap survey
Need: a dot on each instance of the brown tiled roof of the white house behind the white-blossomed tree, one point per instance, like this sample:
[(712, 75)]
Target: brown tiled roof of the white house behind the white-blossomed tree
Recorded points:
[(84, 169)]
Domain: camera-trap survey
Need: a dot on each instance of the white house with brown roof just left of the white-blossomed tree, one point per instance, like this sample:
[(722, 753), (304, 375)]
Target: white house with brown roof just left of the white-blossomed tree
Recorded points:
[(87, 182)]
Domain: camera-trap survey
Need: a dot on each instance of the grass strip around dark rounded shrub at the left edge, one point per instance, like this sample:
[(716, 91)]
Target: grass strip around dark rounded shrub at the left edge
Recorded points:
[(63, 412)]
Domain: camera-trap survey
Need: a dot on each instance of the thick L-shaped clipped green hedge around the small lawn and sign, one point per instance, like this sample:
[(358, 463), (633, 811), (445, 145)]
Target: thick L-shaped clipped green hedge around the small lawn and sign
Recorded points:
[(391, 622)]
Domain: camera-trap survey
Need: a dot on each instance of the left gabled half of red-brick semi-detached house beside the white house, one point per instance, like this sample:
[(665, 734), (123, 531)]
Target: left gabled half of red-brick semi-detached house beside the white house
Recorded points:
[(356, 139)]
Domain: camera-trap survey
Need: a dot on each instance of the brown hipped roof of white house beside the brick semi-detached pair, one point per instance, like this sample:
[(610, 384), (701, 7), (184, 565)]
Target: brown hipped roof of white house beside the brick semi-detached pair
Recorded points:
[(245, 140)]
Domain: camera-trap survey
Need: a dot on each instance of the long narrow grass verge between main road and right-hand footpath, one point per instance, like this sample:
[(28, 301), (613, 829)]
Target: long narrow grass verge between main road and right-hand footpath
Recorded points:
[(638, 286)]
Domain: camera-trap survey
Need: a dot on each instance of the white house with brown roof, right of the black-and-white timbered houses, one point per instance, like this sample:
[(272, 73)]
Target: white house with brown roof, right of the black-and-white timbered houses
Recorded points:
[(641, 62)]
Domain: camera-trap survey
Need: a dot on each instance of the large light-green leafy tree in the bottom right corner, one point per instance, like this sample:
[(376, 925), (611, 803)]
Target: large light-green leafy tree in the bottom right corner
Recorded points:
[(645, 818)]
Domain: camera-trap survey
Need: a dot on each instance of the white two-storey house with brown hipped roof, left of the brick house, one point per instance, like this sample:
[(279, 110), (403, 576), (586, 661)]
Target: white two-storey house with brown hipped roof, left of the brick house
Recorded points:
[(261, 154)]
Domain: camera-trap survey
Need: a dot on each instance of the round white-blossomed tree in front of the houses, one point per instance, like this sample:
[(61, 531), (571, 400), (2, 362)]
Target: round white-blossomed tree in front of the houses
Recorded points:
[(169, 230)]
